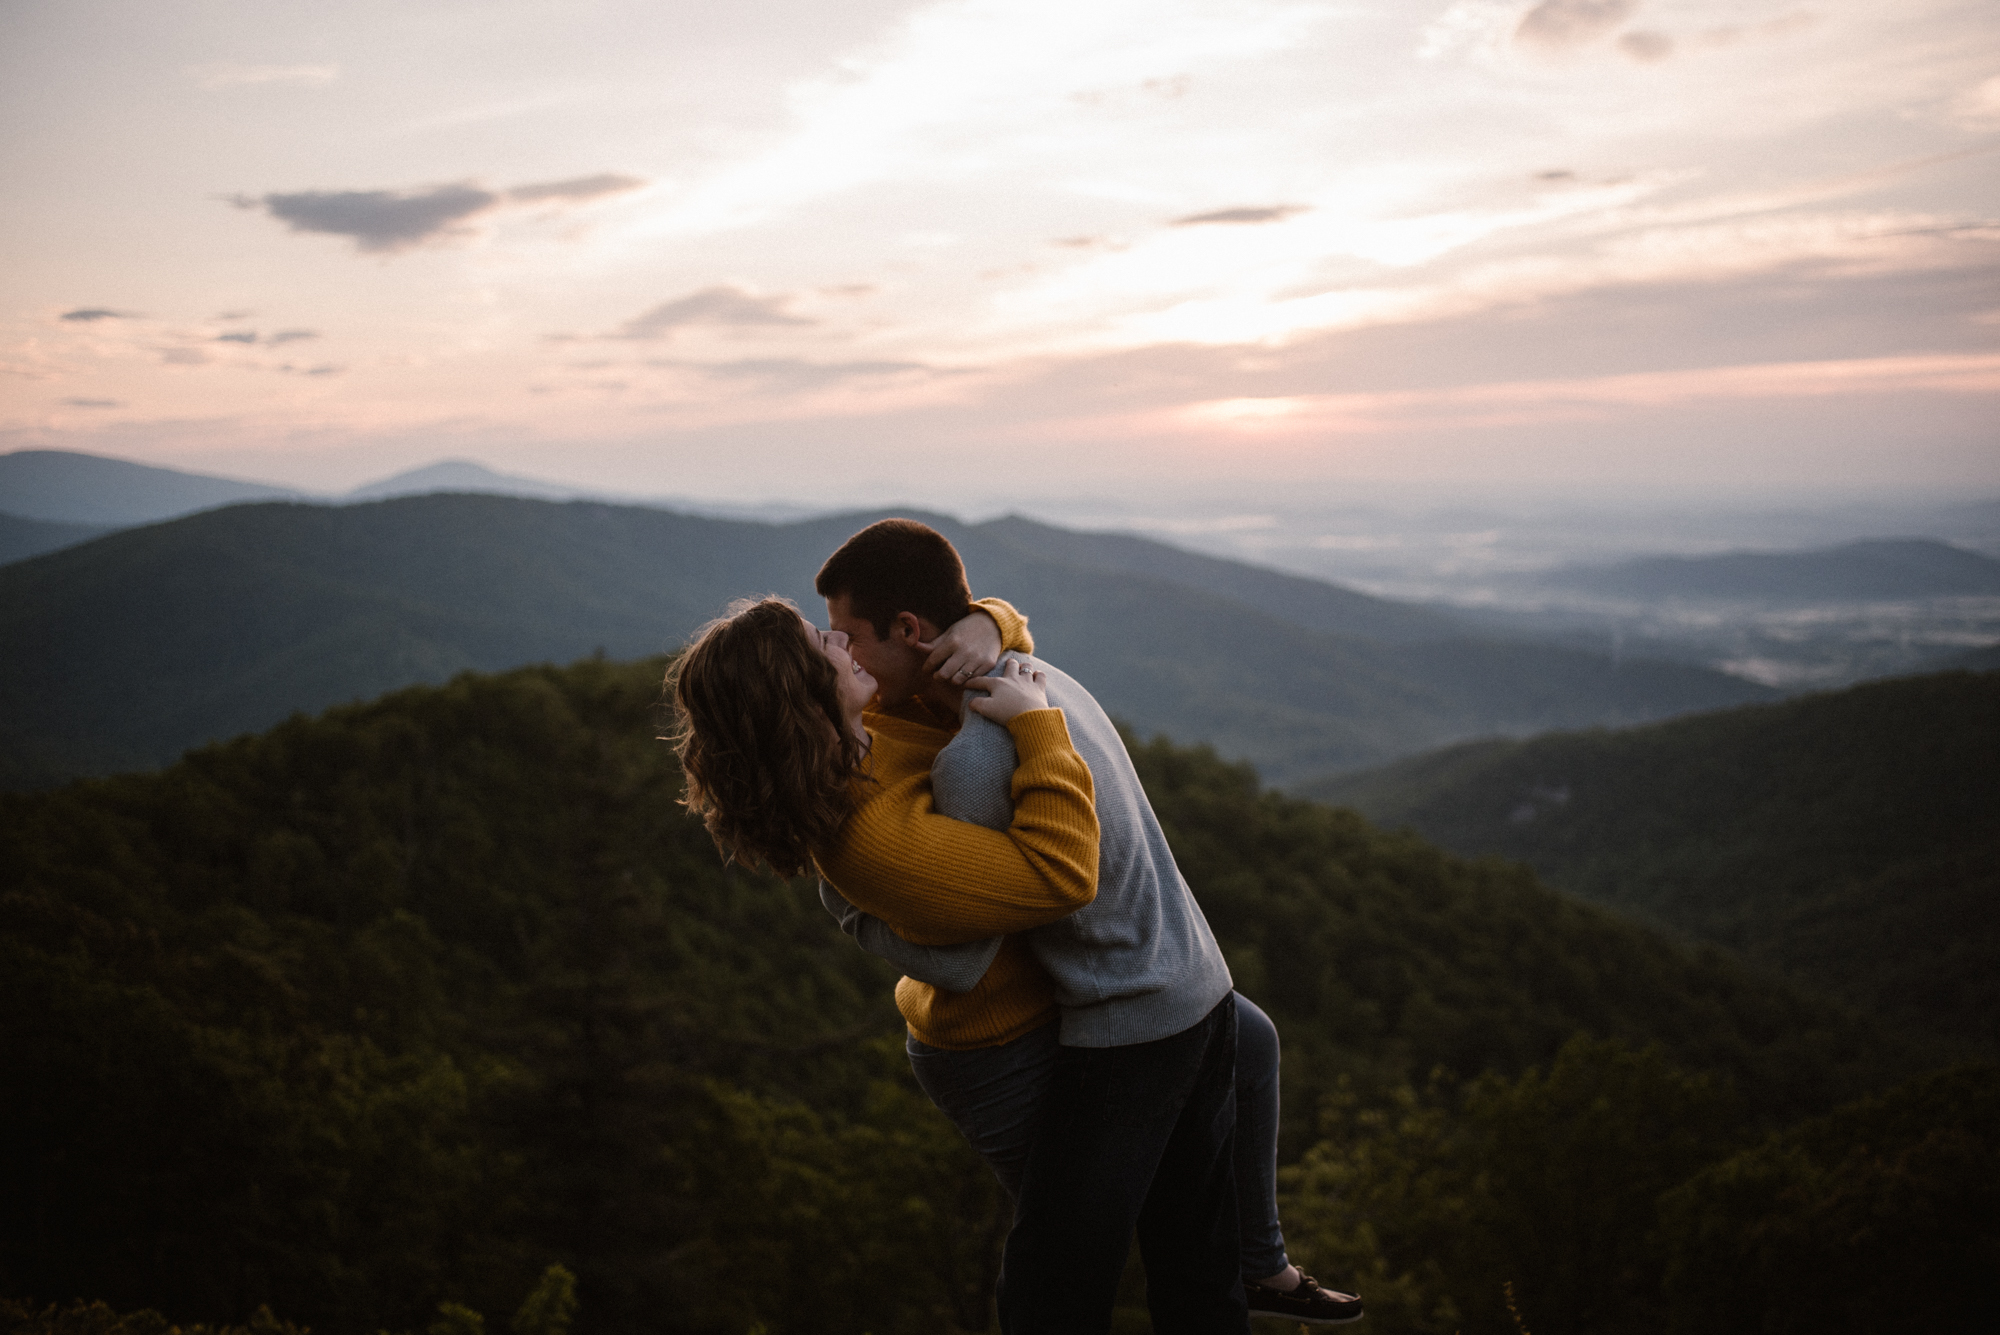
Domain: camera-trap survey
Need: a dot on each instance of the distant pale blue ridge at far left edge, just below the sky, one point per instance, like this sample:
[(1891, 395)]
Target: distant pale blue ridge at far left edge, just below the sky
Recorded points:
[(63, 487)]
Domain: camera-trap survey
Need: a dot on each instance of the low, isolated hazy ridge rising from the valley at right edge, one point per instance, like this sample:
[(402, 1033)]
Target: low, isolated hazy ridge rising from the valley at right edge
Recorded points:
[(1881, 569)]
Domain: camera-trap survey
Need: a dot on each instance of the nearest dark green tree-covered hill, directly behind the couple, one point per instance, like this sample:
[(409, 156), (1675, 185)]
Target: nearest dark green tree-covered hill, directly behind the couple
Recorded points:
[(411, 1002)]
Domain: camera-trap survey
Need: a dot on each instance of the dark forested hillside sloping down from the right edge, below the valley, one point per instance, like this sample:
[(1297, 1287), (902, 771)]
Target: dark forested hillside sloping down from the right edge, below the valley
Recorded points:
[(1851, 838)]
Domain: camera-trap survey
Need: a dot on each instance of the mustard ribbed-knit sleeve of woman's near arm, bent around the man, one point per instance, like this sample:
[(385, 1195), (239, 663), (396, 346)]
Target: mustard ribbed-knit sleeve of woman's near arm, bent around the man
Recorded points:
[(945, 882)]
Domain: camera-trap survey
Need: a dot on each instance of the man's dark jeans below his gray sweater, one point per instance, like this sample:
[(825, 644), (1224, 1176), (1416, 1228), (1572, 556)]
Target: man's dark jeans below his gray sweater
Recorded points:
[(1135, 1136)]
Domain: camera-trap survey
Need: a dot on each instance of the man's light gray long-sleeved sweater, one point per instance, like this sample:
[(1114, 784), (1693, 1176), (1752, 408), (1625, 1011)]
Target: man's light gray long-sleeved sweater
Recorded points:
[(1133, 966)]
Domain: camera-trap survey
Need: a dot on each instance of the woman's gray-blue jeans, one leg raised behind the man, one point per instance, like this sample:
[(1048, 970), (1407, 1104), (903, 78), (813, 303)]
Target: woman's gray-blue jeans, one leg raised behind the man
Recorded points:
[(995, 1098)]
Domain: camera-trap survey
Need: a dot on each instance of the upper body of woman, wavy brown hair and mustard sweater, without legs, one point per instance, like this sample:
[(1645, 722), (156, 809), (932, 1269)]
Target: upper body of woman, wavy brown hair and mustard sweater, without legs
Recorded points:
[(783, 772)]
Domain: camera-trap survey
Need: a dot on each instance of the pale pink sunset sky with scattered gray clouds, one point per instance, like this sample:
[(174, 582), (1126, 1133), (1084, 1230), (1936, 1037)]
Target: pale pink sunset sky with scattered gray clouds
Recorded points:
[(961, 251)]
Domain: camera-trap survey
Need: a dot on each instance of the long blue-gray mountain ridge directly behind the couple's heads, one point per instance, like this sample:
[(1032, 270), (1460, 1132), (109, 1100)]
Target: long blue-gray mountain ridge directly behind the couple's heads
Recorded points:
[(153, 641)]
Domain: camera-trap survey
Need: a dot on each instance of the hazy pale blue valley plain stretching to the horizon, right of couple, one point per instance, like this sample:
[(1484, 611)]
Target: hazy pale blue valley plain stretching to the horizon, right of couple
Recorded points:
[(1891, 607)]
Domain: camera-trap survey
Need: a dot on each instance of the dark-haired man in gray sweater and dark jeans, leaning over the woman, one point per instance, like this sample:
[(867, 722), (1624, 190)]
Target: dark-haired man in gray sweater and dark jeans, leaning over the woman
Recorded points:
[(1135, 1130)]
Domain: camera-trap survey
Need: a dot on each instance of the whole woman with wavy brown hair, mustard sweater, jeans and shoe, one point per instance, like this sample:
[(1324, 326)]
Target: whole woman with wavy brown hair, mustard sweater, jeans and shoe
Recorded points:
[(785, 772)]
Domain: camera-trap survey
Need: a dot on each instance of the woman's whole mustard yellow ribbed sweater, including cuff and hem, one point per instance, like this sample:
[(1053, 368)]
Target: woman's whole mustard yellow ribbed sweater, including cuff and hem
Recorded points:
[(941, 882)]
